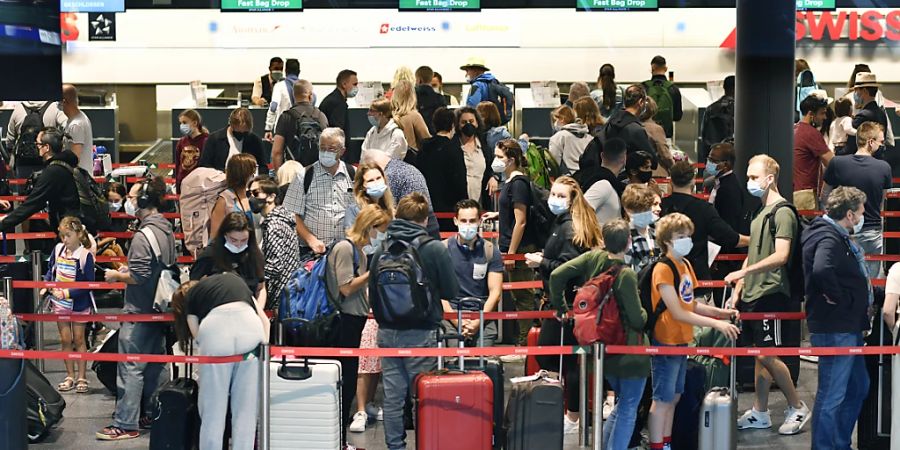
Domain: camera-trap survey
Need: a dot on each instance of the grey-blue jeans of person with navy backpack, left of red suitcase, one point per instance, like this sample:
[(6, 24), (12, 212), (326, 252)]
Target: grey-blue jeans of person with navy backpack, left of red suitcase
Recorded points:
[(398, 374)]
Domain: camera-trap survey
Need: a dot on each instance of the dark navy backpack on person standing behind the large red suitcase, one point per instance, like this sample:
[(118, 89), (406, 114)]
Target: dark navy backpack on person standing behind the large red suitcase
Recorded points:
[(403, 296)]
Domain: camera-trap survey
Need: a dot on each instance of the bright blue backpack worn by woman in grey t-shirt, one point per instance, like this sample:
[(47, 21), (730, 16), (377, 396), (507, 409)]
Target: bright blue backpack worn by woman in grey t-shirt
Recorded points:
[(309, 315)]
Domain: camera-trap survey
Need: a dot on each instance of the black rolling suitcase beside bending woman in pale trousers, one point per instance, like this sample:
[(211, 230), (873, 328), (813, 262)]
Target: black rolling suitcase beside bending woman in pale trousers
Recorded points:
[(176, 421)]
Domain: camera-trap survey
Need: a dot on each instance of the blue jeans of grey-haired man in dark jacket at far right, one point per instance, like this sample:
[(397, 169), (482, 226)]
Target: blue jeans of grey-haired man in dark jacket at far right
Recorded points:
[(843, 385)]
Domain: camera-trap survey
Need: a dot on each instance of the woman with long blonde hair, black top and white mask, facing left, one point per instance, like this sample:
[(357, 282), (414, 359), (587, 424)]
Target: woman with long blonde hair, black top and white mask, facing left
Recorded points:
[(574, 232)]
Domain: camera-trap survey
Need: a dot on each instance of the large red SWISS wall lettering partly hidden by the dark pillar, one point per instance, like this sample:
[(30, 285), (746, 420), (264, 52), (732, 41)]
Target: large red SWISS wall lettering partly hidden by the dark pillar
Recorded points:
[(843, 26)]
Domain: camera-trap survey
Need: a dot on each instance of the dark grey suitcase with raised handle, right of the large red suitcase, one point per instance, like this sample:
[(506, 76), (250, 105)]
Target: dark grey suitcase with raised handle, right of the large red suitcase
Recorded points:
[(534, 414)]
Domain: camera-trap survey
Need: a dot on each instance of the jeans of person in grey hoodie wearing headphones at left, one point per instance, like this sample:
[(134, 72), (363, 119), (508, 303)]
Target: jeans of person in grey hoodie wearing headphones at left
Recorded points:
[(137, 381)]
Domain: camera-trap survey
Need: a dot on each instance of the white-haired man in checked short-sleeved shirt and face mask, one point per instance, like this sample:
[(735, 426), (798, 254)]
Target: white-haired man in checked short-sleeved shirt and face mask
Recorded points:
[(319, 198)]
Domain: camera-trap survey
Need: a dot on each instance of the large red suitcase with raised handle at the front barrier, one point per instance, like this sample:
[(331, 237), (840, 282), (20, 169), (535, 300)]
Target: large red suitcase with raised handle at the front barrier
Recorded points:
[(455, 409)]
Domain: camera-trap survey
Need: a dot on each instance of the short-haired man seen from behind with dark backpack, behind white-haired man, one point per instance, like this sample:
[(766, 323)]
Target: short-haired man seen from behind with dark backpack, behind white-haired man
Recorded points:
[(298, 128)]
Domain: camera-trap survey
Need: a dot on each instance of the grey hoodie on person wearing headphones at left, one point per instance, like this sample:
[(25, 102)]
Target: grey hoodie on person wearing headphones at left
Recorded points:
[(144, 266)]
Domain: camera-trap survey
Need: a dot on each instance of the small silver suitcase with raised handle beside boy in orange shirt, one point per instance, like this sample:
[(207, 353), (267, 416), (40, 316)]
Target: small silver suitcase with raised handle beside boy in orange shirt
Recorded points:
[(718, 416)]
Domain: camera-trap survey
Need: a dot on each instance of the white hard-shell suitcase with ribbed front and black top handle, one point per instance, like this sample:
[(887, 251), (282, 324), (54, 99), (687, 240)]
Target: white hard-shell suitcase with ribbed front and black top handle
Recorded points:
[(305, 404)]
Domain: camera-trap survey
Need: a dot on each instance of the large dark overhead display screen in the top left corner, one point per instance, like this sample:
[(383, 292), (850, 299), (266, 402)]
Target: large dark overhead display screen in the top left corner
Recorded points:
[(31, 51)]
